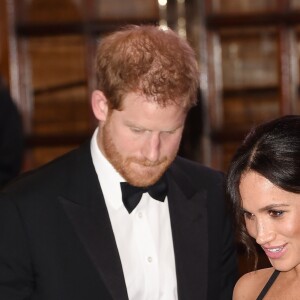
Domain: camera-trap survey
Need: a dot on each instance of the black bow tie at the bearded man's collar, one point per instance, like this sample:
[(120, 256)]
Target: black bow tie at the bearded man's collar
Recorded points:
[(132, 195)]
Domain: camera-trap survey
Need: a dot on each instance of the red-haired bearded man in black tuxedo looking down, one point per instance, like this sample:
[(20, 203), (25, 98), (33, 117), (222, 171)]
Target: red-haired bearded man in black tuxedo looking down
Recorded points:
[(123, 217)]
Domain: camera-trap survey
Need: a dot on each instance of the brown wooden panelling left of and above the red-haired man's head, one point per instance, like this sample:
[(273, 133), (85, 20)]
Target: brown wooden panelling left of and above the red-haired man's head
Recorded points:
[(51, 47)]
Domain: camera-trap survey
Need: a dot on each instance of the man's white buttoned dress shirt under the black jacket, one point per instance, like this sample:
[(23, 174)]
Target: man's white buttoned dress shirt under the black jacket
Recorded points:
[(144, 237)]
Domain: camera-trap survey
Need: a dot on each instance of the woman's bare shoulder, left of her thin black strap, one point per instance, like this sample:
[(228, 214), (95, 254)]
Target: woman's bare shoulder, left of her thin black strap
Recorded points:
[(250, 285)]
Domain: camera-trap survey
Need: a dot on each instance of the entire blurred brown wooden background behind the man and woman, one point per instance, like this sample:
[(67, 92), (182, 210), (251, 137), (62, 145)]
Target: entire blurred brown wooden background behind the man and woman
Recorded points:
[(248, 52)]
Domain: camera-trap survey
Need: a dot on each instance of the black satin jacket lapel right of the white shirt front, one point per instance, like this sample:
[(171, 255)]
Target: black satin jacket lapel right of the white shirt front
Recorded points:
[(188, 213)]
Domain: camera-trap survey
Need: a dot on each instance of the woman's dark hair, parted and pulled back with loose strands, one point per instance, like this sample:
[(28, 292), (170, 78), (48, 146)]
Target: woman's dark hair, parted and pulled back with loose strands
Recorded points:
[(271, 149)]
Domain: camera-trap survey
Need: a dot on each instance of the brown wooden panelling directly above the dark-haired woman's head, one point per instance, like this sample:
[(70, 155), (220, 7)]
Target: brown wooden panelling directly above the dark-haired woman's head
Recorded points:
[(253, 68)]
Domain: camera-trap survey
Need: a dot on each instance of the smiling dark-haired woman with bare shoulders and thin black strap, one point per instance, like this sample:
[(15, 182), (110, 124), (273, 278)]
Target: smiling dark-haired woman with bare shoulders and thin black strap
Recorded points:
[(263, 184)]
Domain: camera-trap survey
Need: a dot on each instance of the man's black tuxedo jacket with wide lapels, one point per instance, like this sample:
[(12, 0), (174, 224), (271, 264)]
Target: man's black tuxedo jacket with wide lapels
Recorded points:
[(57, 243)]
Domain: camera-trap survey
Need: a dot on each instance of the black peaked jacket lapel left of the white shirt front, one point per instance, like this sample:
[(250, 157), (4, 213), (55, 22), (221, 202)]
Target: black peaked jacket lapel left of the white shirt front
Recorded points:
[(86, 209)]
